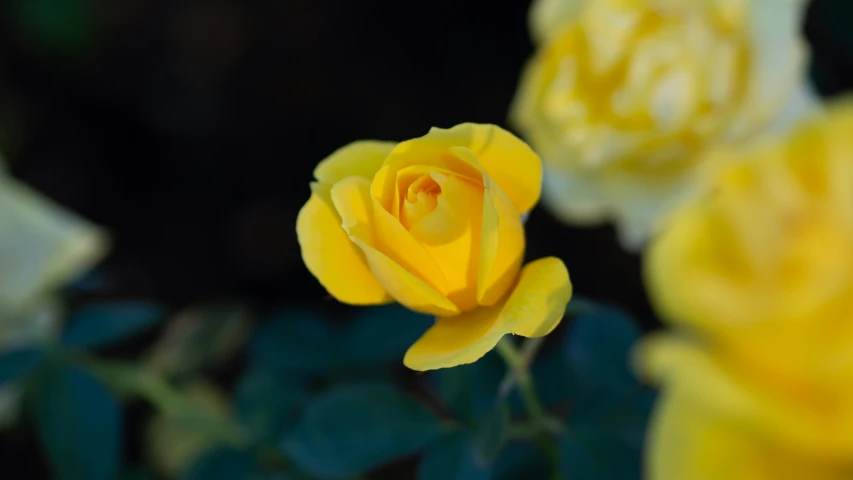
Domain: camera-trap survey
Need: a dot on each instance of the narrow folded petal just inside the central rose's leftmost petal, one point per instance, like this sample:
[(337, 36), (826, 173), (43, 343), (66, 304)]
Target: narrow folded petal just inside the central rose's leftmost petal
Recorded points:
[(352, 200)]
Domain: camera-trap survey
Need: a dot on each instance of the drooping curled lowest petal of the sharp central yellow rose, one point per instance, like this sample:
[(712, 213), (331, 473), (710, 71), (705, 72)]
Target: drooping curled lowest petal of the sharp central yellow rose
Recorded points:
[(533, 309)]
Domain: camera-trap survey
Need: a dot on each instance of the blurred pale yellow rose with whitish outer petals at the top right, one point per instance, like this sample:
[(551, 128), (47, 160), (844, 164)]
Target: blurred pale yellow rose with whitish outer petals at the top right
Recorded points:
[(622, 96)]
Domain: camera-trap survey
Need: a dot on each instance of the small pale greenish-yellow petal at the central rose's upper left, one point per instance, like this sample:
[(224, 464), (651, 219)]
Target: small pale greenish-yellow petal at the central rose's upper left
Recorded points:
[(361, 159)]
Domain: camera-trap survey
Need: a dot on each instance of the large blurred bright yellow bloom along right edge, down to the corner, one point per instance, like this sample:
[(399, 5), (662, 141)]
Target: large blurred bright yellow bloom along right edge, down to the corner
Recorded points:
[(760, 273)]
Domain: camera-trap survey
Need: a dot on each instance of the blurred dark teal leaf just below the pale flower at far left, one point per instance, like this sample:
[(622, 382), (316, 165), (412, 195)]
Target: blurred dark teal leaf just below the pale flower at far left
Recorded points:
[(101, 324)]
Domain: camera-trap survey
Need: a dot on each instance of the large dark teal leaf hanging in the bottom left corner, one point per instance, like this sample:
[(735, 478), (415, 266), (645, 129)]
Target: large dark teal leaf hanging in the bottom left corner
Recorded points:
[(79, 425)]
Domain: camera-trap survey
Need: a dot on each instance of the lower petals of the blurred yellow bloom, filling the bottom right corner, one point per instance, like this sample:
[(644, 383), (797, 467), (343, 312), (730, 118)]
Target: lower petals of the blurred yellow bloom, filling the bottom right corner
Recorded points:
[(715, 421)]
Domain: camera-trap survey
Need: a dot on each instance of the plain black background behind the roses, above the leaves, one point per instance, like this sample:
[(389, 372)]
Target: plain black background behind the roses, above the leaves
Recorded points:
[(189, 129)]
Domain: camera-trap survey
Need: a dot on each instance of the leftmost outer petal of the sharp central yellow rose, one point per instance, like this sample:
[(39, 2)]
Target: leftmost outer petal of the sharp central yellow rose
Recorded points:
[(332, 258)]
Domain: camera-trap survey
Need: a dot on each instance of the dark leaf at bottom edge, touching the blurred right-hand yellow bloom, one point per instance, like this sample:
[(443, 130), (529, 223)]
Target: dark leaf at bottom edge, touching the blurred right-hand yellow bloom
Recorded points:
[(594, 455)]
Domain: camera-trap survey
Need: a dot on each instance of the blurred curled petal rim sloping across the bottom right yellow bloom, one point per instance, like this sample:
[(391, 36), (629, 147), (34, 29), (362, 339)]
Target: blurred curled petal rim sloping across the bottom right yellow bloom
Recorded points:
[(721, 385)]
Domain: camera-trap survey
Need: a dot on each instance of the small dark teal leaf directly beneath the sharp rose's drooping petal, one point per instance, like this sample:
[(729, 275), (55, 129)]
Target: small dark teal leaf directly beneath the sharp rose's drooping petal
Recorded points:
[(469, 391)]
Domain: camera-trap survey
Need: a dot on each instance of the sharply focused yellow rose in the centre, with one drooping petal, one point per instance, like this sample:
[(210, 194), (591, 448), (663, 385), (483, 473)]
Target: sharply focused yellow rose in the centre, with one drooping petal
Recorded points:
[(435, 224)]
